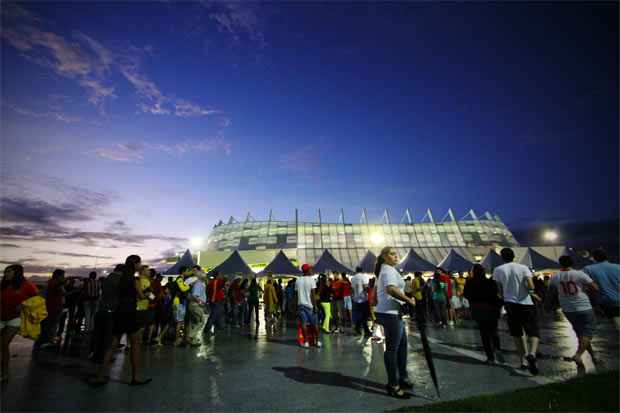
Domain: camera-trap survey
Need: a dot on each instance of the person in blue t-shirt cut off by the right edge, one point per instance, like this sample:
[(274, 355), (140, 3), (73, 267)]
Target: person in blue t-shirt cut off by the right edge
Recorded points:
[(607, 278)]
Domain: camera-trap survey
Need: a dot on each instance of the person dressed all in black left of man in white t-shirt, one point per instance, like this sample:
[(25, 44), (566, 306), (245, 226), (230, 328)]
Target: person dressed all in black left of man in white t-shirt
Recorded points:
[(483, 296)]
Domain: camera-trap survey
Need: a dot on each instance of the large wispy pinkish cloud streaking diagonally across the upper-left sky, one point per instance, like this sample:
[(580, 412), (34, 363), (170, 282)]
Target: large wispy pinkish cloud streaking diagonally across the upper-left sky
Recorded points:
[(89, 63)]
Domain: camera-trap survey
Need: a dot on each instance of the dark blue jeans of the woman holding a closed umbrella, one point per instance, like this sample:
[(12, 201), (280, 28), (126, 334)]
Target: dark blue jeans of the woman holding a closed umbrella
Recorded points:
[(395, 356)]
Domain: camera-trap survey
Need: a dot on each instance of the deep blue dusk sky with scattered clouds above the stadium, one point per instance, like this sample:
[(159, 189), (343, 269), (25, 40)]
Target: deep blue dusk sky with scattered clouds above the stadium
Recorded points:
[(132, 127)]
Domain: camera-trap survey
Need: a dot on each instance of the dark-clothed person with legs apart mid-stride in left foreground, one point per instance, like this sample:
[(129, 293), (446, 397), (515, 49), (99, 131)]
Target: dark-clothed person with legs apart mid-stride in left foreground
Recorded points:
[(125, 322)]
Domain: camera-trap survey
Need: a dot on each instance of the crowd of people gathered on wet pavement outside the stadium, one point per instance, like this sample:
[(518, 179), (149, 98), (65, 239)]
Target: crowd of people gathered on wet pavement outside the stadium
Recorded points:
[(150, 310)]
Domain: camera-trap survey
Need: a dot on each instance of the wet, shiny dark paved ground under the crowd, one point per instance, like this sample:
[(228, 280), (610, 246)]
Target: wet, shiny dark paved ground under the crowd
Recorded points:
[(237, 371)]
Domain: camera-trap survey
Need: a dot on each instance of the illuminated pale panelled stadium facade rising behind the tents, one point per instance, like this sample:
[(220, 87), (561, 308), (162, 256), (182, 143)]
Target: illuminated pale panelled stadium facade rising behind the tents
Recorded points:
[(259, 241)]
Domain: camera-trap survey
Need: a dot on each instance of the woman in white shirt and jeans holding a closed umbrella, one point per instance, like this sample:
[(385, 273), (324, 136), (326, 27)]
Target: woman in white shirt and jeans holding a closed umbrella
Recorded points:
[(390, 297)]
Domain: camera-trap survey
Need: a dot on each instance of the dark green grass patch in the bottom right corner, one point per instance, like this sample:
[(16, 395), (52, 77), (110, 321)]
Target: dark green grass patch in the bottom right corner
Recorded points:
[(591, 393)]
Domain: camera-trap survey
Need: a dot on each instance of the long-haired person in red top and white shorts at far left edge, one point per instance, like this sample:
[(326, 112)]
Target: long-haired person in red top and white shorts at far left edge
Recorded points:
[(14, 290)]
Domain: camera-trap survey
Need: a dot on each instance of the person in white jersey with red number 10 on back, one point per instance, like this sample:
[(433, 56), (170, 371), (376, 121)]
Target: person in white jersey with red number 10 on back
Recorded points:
[(570, 285)]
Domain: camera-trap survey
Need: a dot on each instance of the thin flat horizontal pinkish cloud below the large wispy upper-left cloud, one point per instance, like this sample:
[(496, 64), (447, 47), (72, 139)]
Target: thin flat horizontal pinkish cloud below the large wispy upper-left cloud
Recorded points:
[(135, 151)]
